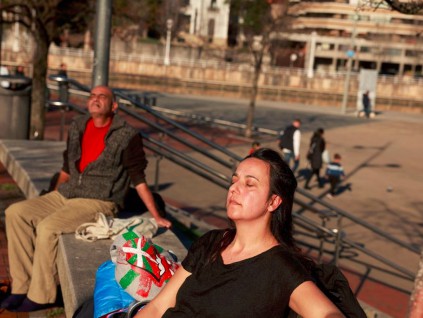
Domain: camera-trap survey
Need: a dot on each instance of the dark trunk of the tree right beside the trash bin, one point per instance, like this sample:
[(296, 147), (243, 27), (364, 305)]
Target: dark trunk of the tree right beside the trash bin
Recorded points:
[(39, 89)]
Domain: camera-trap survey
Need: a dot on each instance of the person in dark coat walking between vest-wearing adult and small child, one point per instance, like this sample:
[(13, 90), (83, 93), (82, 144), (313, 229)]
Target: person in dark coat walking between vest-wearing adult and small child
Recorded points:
[(314, 156)]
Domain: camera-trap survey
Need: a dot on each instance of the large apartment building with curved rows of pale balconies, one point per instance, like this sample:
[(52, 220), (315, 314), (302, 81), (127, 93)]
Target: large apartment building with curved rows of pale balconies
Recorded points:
[(374, 38)]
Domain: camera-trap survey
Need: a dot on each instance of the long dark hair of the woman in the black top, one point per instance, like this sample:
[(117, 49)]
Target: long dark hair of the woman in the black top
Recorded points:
[(282, 183)]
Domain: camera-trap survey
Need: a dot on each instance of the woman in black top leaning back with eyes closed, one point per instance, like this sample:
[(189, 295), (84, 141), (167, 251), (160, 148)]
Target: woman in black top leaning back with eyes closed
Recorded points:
[(253, 269)]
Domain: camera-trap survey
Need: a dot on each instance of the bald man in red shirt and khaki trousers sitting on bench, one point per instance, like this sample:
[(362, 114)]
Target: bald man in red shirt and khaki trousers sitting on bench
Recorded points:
[(103, 155)]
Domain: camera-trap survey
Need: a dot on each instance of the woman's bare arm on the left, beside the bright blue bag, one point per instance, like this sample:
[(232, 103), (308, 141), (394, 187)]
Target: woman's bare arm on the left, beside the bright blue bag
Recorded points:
[(167, 296)]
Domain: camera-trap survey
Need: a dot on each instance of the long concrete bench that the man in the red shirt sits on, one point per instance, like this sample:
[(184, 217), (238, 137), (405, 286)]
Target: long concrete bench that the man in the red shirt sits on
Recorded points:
[(32, 164)]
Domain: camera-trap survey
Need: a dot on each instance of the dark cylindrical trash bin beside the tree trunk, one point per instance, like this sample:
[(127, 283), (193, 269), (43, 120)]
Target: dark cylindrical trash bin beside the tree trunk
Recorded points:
[(15, 108)]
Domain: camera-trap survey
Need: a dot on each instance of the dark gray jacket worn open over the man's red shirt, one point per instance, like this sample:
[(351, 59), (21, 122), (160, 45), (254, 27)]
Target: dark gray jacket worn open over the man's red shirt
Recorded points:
[(106, 178)]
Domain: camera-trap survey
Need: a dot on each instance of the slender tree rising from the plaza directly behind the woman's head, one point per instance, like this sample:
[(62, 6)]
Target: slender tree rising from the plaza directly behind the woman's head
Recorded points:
[(260, 21)]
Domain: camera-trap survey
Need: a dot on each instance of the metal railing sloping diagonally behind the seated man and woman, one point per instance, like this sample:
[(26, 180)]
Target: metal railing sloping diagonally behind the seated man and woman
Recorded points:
[(320, 234)]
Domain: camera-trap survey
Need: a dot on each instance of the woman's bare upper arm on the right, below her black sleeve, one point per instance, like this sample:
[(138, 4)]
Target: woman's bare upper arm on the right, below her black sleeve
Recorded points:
[(308, 300)]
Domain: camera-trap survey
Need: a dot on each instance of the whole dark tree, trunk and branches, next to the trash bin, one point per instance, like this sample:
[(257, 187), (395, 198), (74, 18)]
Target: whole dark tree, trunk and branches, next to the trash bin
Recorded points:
[(45, 20)]
